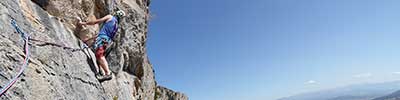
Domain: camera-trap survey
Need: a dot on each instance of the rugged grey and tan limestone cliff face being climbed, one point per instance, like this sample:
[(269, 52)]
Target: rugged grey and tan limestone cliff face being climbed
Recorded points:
[(54, 73)]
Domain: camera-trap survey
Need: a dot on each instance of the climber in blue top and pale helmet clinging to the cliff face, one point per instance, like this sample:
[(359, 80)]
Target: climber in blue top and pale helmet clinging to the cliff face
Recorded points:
[(105, 36)]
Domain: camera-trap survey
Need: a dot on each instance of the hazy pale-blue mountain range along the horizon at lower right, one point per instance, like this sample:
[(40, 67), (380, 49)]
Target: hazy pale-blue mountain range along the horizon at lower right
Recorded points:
[(352, 92)]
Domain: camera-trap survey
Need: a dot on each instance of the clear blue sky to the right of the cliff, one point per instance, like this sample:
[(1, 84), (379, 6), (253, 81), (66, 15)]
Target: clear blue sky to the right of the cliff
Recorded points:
[(266, 49)]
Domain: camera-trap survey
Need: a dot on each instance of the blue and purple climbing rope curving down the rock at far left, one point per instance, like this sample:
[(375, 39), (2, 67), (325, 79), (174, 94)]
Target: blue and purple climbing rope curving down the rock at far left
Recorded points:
[(24, 65)]
